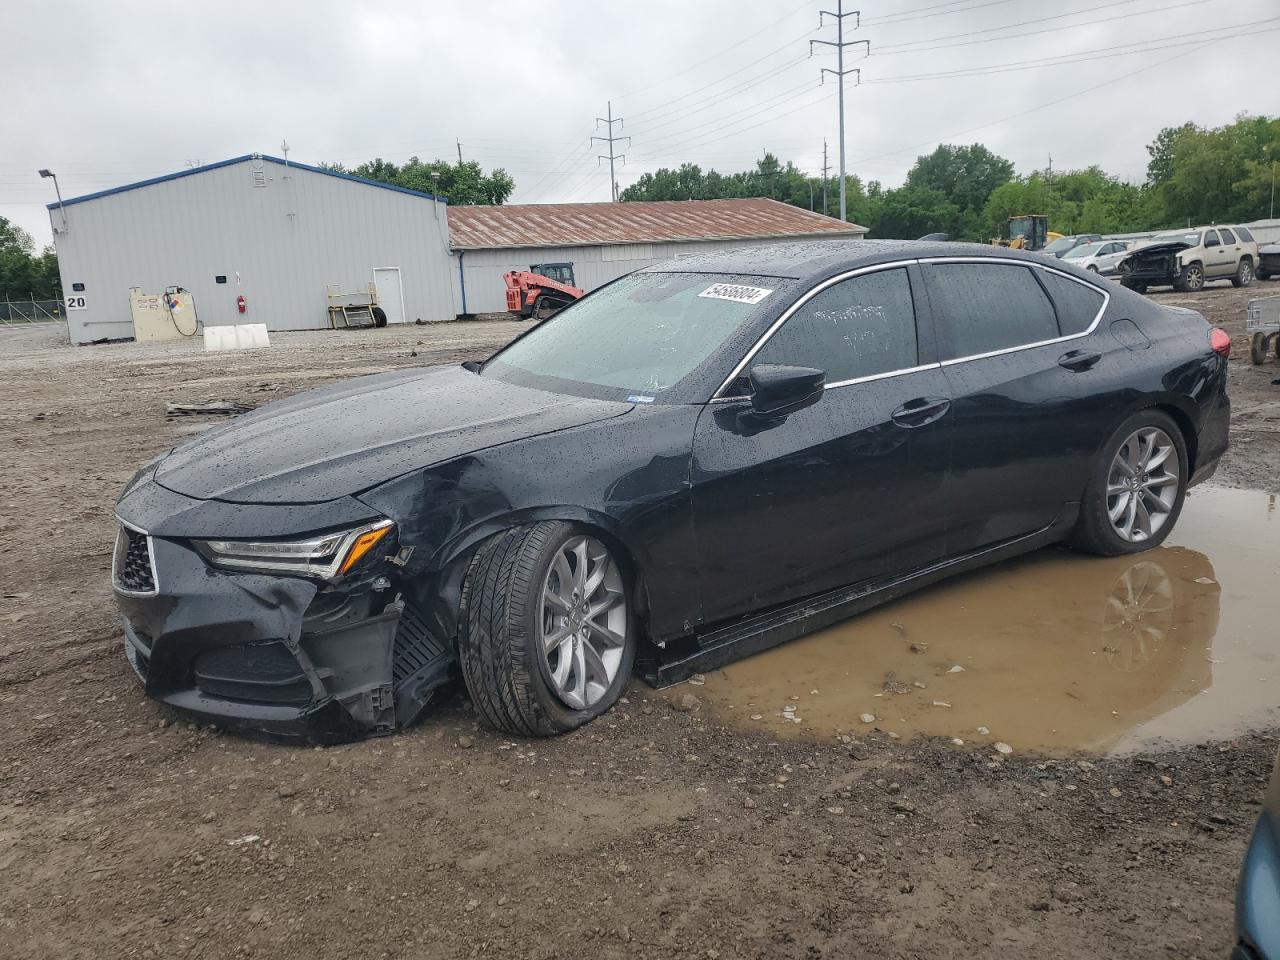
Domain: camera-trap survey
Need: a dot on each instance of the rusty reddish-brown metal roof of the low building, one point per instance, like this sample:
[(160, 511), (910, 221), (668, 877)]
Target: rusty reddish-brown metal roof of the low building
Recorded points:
[(641, 222)]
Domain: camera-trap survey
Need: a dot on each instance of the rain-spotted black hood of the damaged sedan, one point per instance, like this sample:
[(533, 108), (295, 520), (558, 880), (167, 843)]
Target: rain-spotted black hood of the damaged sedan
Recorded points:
[(349, 437)]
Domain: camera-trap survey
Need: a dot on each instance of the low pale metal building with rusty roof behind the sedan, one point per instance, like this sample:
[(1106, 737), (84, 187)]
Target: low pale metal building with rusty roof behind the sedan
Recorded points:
[(606, 241)]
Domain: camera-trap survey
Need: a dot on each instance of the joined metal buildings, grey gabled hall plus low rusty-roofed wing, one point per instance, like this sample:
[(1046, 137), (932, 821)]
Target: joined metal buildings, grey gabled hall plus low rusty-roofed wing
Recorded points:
[(262, 240)]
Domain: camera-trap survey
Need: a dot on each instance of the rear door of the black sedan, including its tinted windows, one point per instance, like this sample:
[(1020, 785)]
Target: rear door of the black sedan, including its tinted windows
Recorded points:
[(1022, 371)]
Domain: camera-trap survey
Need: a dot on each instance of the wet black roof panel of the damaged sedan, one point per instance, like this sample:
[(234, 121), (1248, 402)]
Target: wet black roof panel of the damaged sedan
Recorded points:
[(819, 259)]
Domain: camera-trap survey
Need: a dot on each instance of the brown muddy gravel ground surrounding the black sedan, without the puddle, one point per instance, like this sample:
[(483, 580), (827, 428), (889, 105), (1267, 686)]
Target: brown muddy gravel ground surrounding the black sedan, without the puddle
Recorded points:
[(655, 833)]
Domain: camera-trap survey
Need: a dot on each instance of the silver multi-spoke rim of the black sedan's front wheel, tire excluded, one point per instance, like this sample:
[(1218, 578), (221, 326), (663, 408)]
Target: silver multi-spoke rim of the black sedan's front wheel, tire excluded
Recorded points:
[(584, 621)]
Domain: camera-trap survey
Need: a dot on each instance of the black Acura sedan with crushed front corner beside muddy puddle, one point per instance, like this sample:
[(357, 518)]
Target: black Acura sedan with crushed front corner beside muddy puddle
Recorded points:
[(698, 461)]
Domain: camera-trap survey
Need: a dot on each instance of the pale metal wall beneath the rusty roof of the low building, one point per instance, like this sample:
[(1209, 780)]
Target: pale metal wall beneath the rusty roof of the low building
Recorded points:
[(593, 267)]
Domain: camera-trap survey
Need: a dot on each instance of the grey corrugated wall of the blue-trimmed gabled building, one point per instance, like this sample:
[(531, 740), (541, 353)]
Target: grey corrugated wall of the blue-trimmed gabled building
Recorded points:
[(278, 245)]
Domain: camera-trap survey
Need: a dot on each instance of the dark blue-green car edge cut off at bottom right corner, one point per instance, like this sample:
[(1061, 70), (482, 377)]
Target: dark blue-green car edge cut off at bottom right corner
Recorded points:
[(1258, 899)]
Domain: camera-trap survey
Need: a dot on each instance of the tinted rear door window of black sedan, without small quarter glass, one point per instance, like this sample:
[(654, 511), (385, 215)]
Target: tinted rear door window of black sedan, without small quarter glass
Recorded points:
[(989, 307)]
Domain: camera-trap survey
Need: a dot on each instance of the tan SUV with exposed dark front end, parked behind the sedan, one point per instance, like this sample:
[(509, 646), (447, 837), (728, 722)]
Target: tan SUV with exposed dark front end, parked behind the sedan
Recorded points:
[(1187, 260)]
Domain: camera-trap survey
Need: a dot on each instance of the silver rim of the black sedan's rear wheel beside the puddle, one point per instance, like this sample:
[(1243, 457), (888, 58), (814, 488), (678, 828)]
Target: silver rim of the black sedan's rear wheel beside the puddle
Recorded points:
[(1142, 484)]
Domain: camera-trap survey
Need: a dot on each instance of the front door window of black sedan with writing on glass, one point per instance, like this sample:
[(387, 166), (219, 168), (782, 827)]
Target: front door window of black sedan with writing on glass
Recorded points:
[(861, 327)]
